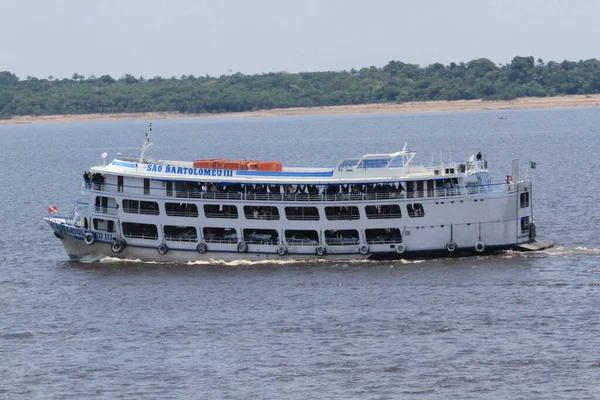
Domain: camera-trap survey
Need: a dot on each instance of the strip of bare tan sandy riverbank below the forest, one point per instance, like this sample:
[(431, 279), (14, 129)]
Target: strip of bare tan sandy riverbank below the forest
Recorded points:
[(414, 107)]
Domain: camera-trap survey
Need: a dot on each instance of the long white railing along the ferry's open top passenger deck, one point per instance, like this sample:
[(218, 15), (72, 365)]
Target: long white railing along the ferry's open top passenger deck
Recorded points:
[(469, 189)]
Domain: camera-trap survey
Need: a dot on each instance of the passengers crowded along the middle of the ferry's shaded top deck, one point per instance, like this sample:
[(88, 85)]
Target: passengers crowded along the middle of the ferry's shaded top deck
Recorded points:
[(295, 189)]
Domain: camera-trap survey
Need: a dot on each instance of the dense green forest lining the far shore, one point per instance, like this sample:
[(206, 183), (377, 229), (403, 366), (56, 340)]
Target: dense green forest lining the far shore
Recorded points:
[(396, 82)]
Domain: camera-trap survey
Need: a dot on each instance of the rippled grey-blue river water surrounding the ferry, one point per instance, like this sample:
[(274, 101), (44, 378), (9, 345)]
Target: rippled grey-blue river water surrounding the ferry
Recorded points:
[(510, 326)]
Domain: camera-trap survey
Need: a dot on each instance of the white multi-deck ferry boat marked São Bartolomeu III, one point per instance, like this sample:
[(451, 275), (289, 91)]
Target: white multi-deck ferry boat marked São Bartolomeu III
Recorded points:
[(376, 206)]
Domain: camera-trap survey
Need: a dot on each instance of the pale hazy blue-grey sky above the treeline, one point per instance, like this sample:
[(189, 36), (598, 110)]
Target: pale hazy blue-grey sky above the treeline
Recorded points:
[(147, 38)]
